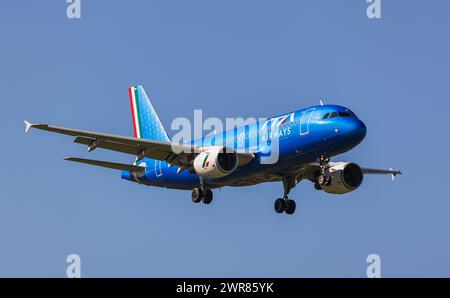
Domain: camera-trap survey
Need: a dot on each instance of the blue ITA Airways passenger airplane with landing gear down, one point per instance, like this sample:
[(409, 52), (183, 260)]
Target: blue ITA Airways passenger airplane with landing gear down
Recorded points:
[(305, 141)]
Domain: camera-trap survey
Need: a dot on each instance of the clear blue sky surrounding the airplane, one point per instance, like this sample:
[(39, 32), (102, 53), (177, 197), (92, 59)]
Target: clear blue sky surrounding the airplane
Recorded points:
[(231, 58)]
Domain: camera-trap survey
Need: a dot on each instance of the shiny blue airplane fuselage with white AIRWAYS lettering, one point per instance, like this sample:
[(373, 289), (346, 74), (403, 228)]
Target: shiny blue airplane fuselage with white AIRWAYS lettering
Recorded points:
[(303, 136)]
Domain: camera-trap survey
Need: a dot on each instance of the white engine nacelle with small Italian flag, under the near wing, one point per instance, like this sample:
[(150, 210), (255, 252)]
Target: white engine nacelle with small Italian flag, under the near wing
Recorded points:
[(215, 162)]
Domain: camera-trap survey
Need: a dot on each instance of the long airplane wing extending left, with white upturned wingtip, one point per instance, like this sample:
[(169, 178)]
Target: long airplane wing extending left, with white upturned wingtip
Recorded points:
[(134, 146)]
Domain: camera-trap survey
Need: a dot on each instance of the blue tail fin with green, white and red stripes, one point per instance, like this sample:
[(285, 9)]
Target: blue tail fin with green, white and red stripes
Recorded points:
[(146, 123)]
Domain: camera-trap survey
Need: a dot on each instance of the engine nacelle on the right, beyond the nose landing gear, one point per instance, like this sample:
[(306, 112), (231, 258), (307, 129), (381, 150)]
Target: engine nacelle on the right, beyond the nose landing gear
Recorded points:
[(345, 177)]
